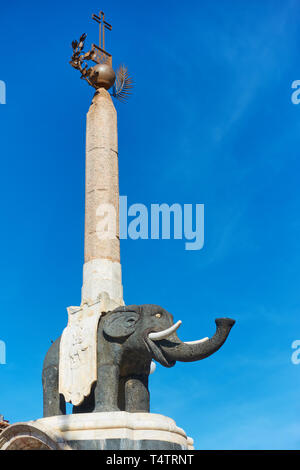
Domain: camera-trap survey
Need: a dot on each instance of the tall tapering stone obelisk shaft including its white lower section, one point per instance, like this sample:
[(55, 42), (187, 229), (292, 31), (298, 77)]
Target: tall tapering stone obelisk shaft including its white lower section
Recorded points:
[(102, 268)]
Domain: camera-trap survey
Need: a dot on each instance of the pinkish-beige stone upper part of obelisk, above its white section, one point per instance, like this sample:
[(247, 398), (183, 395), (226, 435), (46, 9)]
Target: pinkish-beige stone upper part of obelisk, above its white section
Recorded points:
[(102, 175)]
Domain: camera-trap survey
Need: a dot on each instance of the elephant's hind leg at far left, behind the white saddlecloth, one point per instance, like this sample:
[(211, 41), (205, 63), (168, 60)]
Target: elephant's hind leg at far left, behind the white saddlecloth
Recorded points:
[(54, 403)]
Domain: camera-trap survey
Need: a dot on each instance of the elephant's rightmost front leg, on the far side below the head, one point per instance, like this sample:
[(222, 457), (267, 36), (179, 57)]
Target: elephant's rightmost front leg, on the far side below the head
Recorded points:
[(137, 394)]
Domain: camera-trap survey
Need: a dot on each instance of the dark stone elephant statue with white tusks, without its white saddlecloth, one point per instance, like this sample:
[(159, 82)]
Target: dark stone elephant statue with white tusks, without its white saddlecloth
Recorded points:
[(128, 339)]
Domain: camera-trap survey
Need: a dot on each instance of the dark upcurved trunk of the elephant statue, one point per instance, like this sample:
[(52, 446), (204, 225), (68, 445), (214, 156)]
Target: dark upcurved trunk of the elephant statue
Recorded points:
[(176, 350)]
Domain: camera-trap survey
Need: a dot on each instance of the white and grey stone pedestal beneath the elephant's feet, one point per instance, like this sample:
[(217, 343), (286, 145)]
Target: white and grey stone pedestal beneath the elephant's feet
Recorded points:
[(97, 431)]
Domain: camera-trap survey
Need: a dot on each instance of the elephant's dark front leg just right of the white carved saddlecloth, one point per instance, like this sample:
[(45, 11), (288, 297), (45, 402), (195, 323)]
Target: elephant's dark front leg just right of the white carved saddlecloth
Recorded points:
[(106, 390)]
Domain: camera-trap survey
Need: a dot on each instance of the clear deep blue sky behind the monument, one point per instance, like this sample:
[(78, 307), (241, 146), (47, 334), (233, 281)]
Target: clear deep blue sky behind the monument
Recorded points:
[(211, 121)]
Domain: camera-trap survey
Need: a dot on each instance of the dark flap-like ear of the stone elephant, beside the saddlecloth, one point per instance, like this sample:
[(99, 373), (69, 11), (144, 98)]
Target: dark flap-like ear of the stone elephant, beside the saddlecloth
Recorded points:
[(120, 324)]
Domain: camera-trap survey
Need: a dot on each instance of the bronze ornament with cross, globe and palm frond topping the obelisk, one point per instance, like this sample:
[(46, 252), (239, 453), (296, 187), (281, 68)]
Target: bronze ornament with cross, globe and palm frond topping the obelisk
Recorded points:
[(102, 74)]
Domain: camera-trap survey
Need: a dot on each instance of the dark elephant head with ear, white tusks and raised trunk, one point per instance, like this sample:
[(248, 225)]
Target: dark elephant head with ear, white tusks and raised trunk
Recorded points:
[(153, 327)]
